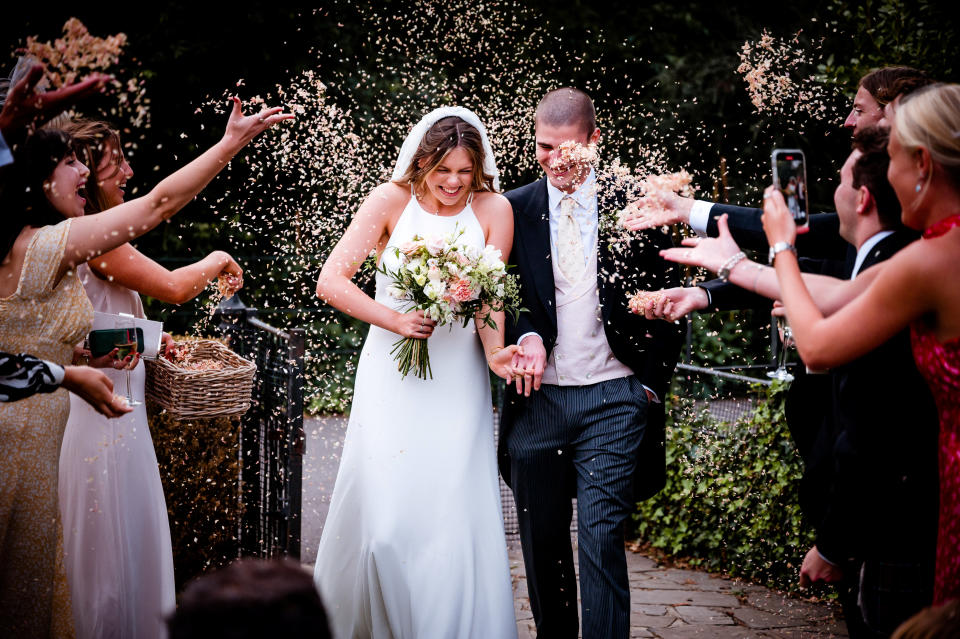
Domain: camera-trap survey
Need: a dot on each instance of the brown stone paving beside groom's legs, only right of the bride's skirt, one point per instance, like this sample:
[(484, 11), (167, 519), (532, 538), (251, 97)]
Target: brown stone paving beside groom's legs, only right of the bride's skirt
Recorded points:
[(671, 603)]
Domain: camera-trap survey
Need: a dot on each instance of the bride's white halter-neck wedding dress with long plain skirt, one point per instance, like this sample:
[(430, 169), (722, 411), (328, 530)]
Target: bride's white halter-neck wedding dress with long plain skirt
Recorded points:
[(413, 546)]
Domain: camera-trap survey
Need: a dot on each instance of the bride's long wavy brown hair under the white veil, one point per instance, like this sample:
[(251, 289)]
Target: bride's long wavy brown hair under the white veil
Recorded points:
[(440, 139)]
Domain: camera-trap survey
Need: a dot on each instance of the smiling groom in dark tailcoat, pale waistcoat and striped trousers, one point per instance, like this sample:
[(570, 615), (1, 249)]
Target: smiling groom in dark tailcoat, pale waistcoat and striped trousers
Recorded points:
[(597, 419)]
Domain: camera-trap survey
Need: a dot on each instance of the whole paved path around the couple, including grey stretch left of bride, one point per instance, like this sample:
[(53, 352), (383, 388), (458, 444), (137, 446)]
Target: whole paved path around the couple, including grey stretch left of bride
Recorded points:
[(666, 603)]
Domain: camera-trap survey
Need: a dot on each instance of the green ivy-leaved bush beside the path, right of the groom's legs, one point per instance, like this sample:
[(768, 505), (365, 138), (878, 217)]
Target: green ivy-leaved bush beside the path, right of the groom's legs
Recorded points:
[(730, 503)]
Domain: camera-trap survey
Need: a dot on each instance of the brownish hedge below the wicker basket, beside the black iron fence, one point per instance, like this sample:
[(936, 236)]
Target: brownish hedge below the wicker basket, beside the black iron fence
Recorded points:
[(199, 467)]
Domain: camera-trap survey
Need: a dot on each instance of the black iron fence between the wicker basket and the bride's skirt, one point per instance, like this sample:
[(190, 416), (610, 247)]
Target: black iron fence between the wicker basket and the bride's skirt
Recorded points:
[(272, 442)]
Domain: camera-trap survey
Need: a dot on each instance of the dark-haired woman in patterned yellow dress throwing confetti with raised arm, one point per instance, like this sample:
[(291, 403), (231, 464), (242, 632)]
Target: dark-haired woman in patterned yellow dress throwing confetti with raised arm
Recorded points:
[(45, 311)]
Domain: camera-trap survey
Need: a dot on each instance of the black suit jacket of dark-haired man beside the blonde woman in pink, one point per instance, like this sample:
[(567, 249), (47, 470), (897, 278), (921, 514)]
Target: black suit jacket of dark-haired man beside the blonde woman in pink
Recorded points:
[(870, 486)]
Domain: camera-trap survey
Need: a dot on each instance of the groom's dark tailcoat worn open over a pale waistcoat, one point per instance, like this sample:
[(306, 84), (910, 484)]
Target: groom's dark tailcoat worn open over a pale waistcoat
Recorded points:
[(649, 348)]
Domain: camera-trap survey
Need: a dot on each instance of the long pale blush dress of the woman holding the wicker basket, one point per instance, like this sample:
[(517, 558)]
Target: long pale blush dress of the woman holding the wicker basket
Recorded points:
[(116, 532)]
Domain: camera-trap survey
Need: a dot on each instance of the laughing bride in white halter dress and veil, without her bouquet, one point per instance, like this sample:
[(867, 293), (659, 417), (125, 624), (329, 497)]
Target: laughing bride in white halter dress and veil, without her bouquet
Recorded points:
[(413, 545)]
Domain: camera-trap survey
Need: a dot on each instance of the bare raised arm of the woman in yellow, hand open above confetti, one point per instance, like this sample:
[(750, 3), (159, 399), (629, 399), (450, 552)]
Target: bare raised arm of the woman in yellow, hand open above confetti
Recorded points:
[(95, 234)]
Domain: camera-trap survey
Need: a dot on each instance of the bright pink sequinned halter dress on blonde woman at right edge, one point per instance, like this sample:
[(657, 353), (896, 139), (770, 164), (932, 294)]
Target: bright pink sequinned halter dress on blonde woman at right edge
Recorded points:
[(939, 363)]
